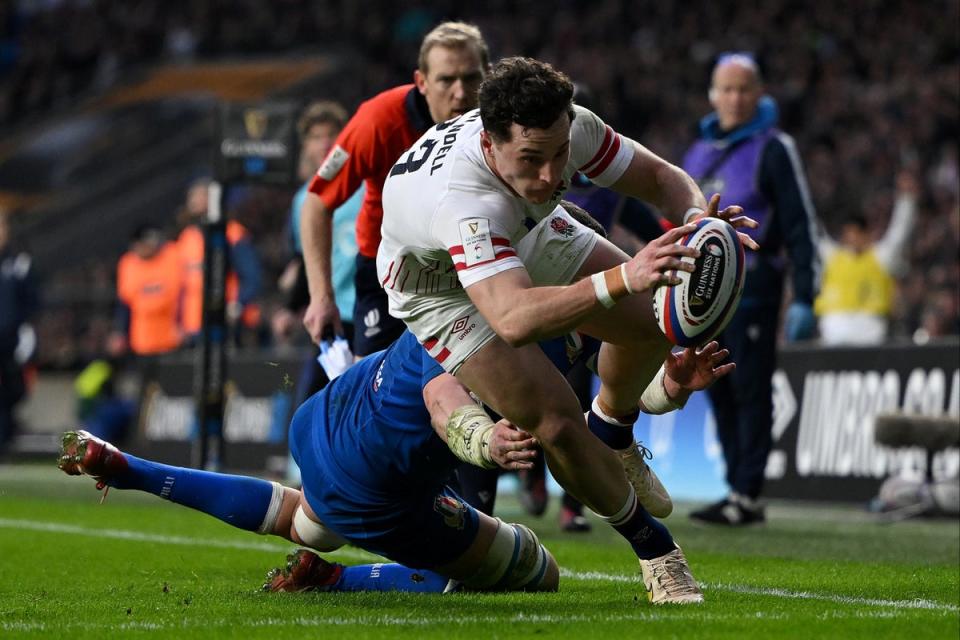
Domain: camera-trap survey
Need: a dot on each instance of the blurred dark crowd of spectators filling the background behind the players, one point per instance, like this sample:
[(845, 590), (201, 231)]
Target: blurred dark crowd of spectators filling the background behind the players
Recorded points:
[(868, 88)]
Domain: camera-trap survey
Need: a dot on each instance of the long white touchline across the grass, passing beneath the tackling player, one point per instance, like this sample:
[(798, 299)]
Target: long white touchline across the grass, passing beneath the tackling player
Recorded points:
[(589, 576)]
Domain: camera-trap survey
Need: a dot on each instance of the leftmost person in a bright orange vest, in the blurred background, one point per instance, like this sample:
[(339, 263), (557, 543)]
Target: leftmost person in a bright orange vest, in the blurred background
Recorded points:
[(149, 291)]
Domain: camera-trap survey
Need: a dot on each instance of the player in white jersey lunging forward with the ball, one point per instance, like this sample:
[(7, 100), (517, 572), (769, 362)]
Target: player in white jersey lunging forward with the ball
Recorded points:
[(480, 262)]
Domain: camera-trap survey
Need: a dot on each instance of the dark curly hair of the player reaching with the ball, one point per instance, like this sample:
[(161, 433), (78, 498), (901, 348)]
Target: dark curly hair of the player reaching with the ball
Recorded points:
[(524, 91)]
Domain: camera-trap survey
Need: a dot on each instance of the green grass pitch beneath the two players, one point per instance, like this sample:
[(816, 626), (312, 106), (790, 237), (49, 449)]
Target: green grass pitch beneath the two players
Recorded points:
[(136, 566)]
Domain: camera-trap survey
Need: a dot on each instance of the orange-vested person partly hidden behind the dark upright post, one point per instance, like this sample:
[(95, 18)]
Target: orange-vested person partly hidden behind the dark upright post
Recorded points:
[(243, 279)]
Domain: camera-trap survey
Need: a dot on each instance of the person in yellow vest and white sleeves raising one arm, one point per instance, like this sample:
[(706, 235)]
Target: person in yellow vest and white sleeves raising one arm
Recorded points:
[(858, 289)]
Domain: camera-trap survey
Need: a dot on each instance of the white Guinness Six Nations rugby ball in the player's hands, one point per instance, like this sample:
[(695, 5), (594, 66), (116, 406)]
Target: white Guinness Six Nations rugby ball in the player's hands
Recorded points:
[(695, 311)]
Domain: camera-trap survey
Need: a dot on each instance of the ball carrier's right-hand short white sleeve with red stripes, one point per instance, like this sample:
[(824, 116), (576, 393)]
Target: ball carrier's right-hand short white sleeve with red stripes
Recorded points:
[(596, 150)]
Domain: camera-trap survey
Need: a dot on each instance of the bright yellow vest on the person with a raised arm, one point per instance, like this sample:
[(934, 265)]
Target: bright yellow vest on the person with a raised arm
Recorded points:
[(855, 283)]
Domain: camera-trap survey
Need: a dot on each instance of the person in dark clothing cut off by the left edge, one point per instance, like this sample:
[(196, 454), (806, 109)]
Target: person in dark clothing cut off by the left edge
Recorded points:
[(18, 302)]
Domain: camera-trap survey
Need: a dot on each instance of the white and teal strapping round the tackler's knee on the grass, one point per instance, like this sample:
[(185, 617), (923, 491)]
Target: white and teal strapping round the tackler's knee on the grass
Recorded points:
[(516, 561)]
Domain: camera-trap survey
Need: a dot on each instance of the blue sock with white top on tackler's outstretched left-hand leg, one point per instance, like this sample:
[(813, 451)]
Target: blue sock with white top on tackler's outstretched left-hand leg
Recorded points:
[(240, 501)]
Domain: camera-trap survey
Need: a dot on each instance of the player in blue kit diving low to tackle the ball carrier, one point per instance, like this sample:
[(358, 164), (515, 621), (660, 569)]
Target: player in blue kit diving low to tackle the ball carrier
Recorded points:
[(375, 448)]
